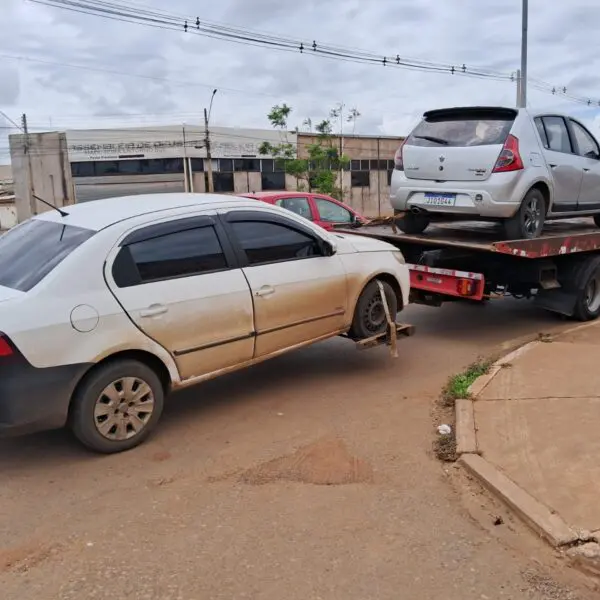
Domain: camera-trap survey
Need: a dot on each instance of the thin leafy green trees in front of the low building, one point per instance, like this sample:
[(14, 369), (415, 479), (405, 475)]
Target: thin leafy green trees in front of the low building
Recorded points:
[(319, 171)]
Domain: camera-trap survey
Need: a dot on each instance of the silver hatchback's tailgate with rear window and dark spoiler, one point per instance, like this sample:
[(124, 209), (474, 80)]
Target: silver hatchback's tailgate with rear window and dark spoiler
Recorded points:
[(459, 144)]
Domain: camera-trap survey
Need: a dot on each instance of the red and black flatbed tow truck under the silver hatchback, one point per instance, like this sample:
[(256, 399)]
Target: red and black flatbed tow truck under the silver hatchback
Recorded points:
[(468, 261)]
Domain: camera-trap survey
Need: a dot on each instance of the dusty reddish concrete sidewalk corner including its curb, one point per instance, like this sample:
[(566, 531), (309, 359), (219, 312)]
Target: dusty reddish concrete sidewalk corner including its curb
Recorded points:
[(531, 433)]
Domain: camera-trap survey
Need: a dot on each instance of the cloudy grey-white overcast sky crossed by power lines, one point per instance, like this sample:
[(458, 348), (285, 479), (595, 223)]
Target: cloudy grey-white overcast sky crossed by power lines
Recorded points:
[(563, 40)]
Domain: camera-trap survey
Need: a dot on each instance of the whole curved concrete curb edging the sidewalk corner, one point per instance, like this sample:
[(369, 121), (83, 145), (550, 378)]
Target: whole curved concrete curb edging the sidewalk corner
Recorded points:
[(539, 517)]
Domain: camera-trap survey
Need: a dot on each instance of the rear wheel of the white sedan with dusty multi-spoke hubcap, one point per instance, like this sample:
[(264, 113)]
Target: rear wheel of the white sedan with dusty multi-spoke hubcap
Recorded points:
[(112, 395)]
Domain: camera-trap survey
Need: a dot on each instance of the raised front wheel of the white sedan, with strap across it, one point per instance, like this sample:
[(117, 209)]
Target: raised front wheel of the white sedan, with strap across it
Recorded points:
[(369, 315)]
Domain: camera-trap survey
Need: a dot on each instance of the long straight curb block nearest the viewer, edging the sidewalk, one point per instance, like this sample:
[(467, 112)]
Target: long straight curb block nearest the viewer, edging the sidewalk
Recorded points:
[(546, 523)]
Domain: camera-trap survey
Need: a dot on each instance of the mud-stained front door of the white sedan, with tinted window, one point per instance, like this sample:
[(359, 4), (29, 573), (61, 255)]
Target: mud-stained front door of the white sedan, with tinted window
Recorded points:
[(299, 288)]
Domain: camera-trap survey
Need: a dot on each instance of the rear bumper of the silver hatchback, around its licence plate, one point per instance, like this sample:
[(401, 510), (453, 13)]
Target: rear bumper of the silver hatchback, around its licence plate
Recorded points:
[(499, 198)]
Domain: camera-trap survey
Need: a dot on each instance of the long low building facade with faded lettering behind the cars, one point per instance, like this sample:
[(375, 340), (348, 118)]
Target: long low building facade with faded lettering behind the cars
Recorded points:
[(116, 162)]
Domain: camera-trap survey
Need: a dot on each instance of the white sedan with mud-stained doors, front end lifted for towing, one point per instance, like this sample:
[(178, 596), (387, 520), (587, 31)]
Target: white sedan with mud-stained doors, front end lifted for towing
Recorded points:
[(106, 309)]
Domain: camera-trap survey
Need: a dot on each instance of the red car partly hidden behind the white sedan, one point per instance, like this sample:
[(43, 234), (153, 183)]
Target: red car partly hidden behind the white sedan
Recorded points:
[(319, 208)]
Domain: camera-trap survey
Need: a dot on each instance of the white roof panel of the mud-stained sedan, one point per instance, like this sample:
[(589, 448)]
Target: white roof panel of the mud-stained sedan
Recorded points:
[(99, 214)]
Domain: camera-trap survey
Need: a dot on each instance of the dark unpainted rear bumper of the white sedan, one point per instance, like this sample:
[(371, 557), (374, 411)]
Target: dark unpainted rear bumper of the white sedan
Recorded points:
[(33, 399)]
